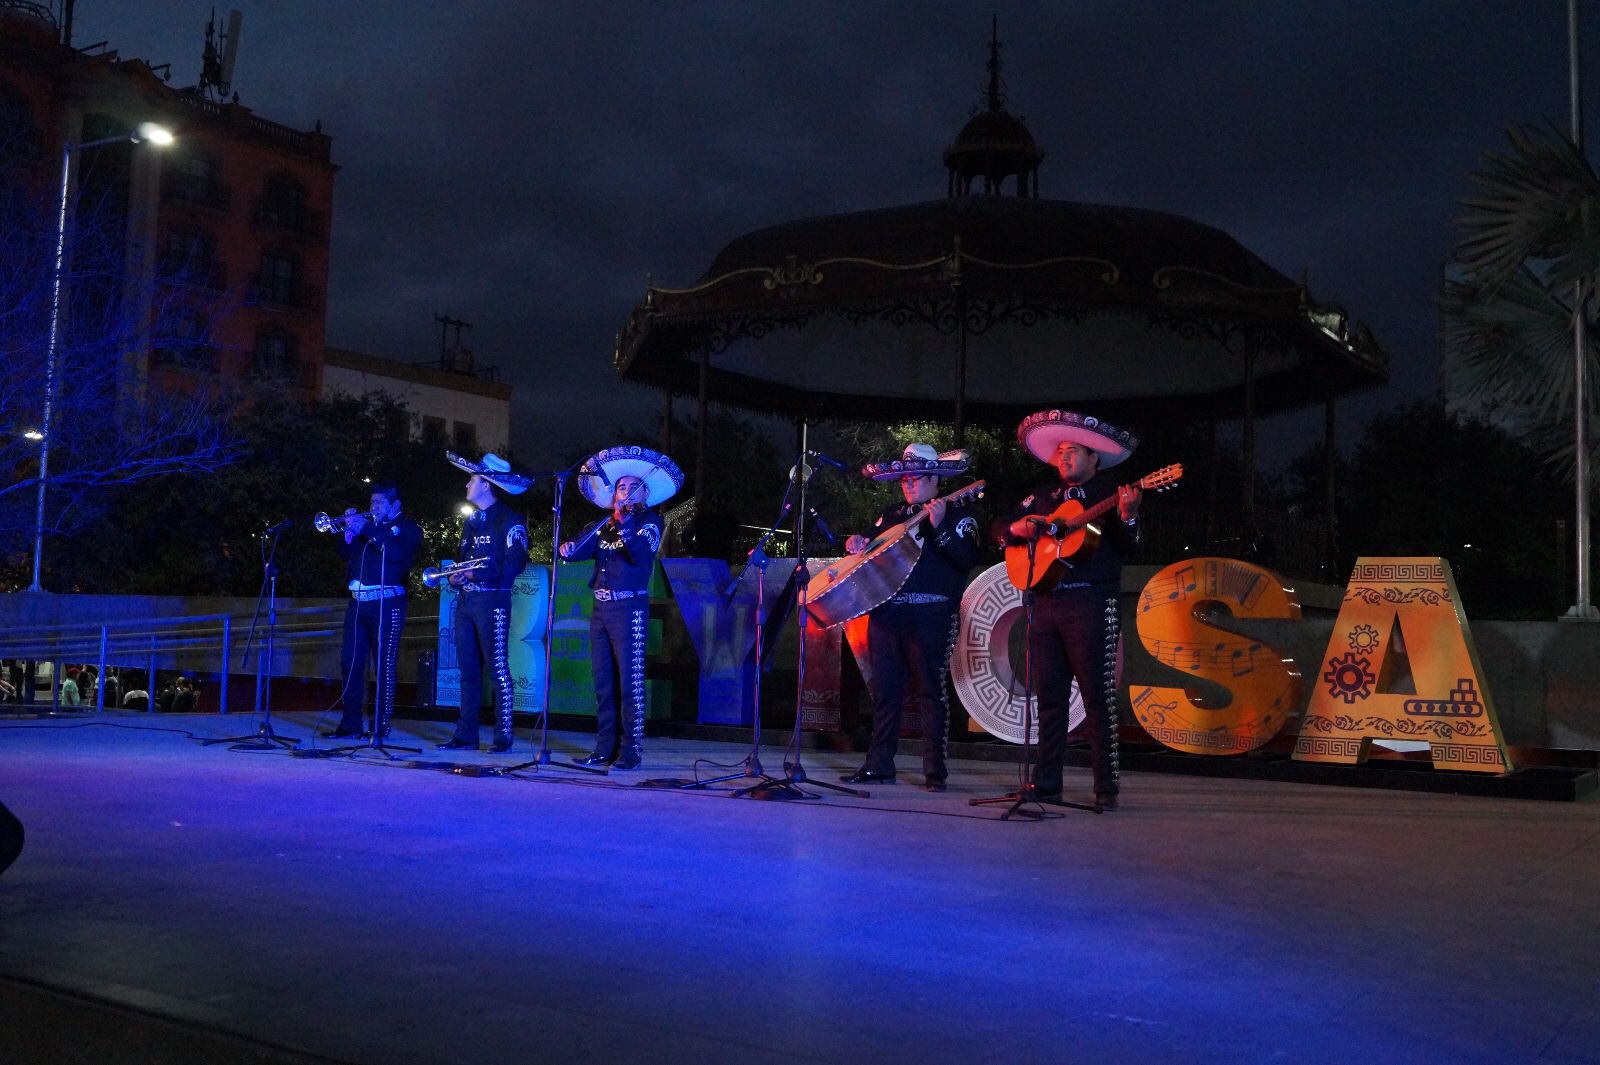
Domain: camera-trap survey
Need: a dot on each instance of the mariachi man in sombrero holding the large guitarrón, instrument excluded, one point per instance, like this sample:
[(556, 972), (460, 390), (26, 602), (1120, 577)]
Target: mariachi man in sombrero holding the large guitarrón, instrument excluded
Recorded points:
[(910, 637)]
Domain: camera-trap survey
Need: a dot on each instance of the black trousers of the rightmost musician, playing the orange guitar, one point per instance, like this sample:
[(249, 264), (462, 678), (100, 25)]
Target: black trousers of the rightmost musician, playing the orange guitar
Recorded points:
[(1076, 637)]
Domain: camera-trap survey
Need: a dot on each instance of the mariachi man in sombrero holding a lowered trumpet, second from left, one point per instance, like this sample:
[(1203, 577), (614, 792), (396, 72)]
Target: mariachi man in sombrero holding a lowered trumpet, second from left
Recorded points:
[(497, 535)]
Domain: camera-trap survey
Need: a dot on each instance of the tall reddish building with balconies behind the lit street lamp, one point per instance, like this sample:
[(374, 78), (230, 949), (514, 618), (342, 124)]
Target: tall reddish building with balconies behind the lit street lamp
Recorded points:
[(226, 231)]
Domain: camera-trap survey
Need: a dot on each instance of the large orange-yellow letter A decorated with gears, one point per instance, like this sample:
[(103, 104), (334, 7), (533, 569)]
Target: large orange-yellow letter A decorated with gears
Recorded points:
[(1450, 708)]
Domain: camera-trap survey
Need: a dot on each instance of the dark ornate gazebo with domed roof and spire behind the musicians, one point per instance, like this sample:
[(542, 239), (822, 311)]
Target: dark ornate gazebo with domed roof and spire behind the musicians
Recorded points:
[(985, 306)]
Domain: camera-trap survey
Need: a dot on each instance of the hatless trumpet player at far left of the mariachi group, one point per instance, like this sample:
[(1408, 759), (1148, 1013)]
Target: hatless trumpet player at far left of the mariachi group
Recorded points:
[(378, 549)]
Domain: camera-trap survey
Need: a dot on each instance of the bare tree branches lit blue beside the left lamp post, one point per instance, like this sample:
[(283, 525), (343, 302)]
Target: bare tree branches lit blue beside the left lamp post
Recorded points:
[(108, 428)]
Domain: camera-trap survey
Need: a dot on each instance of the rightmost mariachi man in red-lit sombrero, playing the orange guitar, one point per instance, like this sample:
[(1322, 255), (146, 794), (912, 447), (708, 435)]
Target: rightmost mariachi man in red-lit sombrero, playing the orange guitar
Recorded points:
[(1078, 620)]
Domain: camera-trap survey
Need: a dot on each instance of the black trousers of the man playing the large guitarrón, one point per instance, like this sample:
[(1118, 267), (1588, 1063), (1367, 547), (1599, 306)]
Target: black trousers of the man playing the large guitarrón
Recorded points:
[(910, 655)]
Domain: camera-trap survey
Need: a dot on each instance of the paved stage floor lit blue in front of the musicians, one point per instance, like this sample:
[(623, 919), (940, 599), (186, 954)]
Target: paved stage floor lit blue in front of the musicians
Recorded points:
[(223, 906)]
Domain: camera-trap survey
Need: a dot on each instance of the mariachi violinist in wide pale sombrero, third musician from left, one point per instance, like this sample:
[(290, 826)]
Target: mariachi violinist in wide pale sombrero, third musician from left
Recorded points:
[(631, 484)]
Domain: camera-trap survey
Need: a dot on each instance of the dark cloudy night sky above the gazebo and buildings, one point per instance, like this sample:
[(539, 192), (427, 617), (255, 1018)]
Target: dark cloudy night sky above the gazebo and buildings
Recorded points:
[(526, 167)]
